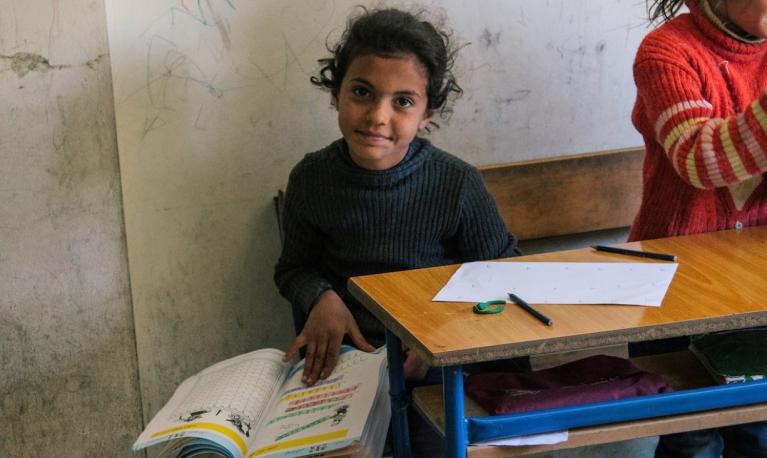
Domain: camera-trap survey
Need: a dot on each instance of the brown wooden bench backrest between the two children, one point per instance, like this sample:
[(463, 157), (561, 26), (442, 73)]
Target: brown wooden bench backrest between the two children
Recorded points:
[(568, 194)]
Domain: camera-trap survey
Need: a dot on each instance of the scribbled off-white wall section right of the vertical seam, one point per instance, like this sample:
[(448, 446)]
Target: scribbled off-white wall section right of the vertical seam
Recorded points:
[(214, 107)]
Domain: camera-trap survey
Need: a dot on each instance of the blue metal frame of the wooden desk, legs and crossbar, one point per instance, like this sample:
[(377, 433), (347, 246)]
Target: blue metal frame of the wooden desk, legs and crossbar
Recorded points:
[(461, 430)]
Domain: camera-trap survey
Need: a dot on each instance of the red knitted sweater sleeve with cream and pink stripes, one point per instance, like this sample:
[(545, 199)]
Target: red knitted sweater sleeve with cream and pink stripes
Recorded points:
[(705, 151)]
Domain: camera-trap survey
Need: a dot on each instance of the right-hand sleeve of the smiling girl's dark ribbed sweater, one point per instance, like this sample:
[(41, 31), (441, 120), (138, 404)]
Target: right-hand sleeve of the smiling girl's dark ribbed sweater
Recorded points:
[(482, 234)]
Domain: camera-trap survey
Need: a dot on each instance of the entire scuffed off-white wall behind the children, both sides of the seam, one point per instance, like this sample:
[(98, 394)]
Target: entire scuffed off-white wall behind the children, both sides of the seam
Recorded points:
[(213, 107)]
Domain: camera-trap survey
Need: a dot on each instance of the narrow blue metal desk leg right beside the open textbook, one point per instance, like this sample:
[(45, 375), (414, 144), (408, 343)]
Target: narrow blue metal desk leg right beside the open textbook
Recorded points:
[(399, 398)]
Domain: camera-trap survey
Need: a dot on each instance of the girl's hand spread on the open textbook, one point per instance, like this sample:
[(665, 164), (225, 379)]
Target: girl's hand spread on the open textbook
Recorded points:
[(328, 322)]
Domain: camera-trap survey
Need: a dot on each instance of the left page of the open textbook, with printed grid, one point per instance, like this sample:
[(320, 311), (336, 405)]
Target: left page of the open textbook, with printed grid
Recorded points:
[(223, 403)]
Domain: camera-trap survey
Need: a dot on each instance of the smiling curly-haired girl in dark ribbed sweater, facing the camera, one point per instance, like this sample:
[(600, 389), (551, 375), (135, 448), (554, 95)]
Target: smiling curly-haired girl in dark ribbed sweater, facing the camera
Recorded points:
[(379, 199)]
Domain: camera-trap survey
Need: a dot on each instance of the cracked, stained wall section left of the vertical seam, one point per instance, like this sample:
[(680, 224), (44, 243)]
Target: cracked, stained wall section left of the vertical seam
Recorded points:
[(68, 371)]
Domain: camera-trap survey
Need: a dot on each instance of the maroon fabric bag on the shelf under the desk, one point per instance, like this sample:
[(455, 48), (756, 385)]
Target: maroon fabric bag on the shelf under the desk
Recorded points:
[(592, 379)]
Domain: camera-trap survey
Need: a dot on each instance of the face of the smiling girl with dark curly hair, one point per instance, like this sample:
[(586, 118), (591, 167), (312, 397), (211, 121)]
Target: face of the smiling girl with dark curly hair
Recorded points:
[(382, 103)]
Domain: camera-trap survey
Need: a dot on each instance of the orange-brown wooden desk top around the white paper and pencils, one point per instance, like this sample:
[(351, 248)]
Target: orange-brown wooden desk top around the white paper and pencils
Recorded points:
[(721, 283)]
